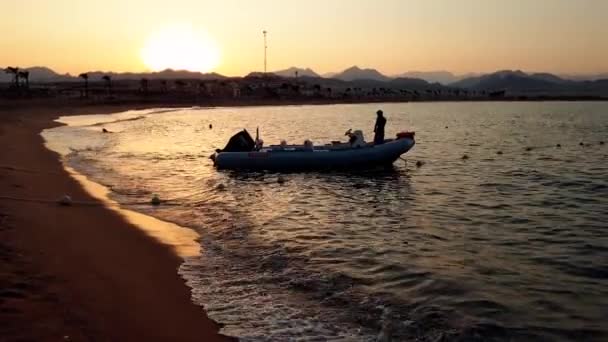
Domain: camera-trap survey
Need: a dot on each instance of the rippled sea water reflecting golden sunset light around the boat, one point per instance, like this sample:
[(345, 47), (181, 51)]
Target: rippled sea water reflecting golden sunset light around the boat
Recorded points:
[(510, 246)]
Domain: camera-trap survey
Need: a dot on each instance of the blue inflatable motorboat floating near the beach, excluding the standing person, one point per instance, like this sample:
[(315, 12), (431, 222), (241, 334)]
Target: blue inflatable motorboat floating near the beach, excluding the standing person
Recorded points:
[(244, 153)]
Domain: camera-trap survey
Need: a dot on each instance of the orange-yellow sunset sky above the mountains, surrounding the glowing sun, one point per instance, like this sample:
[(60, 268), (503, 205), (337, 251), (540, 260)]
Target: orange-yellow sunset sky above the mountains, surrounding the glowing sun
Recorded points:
[(561, 36)]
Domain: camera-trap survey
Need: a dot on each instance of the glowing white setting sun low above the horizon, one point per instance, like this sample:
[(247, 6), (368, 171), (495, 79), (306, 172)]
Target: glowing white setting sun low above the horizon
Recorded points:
[(180, 48)]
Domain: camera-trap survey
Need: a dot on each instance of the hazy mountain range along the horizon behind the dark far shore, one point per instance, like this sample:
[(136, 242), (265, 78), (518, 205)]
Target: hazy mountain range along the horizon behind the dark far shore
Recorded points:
[(514, 82)]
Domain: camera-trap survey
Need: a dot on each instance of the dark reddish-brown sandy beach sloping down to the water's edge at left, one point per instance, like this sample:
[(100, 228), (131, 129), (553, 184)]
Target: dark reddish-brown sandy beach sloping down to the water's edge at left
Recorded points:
[(79, 273)]
